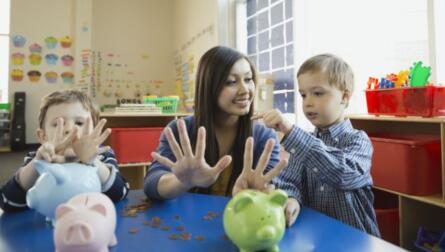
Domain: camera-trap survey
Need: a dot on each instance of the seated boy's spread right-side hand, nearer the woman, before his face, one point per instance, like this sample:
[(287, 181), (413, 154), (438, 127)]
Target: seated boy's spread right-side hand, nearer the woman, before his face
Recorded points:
[(87, 145)]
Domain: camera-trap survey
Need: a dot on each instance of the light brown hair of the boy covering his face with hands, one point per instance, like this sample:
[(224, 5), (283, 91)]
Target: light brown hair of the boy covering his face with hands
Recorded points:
[(67, 96)]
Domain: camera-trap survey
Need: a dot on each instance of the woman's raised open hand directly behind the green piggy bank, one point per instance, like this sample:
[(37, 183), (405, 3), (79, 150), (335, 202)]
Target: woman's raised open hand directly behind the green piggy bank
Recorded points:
[(254, 179)]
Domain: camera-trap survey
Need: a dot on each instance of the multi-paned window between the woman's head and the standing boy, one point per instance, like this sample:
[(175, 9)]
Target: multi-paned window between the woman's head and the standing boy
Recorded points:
[(269, 44)]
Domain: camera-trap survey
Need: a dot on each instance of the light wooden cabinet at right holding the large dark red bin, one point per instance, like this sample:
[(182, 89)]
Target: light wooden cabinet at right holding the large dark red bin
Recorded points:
[(414, 211)]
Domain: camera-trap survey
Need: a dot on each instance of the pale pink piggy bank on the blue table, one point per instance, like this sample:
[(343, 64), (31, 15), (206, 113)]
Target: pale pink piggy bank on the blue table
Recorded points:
[(85, 223)]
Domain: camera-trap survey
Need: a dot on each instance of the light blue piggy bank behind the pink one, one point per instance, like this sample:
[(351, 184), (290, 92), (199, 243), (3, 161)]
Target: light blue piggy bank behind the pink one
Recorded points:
[(58, 183)]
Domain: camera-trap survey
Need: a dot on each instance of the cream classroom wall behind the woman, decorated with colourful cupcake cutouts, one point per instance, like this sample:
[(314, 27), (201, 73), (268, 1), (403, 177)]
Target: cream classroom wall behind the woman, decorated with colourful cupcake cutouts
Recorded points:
[(121, 49)]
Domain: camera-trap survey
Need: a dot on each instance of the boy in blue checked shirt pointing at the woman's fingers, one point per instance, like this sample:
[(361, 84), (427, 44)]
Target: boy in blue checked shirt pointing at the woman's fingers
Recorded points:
[(329, 169)]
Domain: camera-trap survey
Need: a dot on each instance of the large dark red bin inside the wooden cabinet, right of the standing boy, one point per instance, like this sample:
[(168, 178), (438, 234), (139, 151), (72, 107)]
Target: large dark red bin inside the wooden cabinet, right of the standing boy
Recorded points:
[(408, 164)]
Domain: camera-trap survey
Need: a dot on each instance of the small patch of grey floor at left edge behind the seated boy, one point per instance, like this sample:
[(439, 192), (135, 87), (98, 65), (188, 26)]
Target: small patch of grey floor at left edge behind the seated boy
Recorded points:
[(9, 163)]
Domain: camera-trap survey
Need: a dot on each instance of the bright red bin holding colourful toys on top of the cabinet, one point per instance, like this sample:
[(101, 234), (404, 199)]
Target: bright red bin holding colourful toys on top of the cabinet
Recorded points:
[(425, 101)]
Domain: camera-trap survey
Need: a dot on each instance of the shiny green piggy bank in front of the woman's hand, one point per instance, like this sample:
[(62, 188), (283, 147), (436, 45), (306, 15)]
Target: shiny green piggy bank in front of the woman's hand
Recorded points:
[(255, 221)]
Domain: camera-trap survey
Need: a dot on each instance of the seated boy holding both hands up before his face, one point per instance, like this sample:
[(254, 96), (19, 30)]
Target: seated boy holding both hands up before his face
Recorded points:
[(69, 131)]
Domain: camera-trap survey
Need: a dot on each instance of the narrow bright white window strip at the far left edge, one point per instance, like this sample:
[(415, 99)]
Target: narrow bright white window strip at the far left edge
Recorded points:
[(4, 49)]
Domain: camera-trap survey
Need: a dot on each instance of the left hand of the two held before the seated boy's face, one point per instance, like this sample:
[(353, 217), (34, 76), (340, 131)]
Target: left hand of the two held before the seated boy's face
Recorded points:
[(52, 150)]
